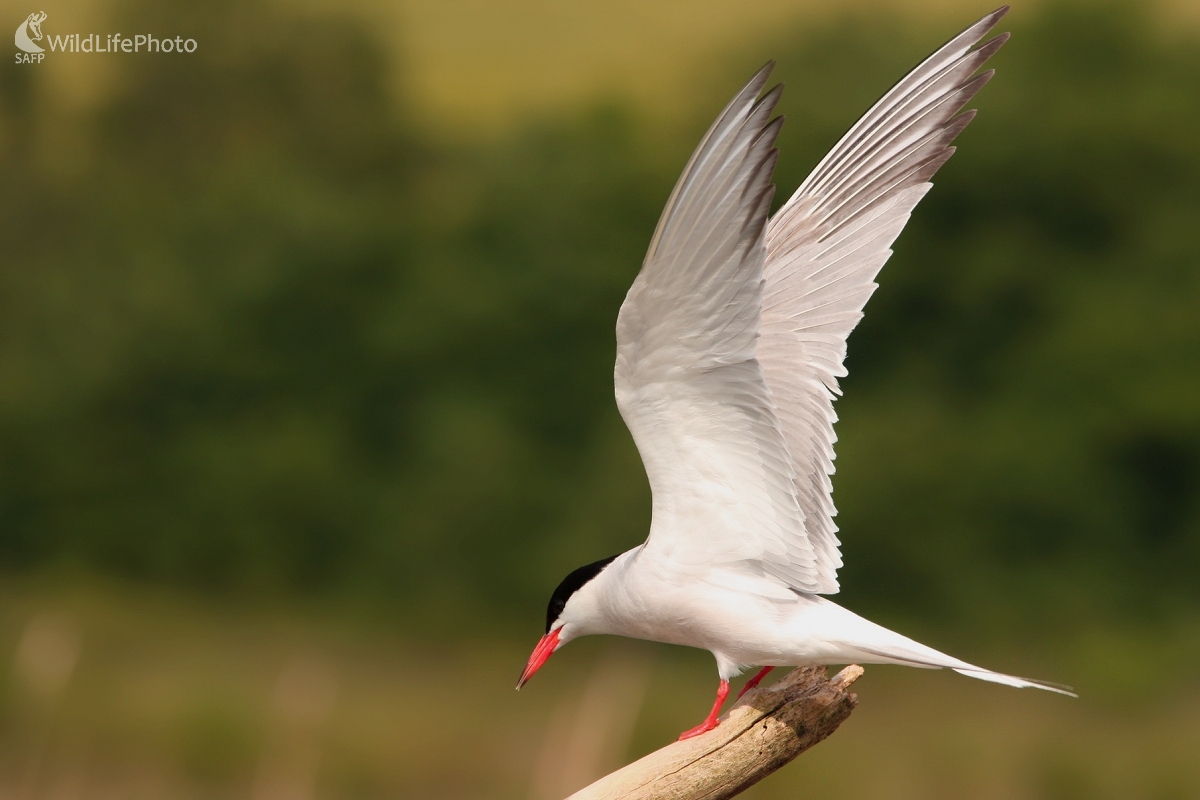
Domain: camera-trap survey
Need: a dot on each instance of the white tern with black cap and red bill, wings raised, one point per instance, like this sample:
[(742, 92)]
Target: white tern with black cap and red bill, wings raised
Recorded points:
[(730, 345)]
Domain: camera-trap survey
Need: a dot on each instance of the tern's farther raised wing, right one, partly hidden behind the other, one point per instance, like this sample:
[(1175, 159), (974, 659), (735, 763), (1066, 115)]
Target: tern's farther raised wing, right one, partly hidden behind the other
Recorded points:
[(827, 244)]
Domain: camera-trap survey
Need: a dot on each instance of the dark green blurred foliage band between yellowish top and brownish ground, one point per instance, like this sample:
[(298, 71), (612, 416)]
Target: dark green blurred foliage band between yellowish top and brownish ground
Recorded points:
[(261, 334)]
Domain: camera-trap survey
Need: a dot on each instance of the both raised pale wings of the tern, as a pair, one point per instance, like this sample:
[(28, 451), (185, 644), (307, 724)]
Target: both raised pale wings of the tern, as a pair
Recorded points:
[(733, 338)]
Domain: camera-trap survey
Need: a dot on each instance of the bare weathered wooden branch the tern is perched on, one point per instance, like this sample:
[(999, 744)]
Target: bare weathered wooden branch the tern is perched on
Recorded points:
[(765, 730)]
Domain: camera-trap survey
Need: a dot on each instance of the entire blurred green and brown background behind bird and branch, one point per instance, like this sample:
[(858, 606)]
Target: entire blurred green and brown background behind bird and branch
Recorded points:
[(307, 347)]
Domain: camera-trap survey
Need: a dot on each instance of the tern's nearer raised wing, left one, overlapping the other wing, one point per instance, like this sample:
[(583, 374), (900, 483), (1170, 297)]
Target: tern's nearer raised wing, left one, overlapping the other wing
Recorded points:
[(688, 383)]
